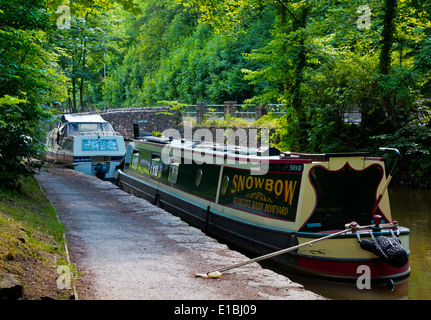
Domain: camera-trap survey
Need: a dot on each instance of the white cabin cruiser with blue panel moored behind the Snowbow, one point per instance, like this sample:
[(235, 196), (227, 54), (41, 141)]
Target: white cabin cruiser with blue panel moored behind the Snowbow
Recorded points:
[(86, 143)]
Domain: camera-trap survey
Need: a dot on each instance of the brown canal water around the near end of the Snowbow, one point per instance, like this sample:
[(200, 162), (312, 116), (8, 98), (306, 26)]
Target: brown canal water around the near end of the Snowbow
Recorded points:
[(411, 207)]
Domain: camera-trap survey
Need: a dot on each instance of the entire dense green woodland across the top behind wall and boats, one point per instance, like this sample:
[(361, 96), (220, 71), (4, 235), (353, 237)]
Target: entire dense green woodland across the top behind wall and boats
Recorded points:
[(321, 59)]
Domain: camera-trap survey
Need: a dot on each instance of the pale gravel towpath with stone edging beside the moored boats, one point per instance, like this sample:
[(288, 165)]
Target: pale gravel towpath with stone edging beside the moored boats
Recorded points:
[(126, 248)]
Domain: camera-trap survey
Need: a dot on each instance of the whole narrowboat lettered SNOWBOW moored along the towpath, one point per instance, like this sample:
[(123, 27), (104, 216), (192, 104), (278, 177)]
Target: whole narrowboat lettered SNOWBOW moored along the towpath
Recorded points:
[(264, 200)]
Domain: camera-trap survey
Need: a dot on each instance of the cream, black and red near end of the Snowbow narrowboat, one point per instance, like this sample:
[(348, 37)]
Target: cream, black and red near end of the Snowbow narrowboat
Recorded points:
[(339, 189)]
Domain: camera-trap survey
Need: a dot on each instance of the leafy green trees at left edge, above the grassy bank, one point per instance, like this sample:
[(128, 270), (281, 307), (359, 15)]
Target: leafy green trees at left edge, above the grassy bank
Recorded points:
[(30, 82)]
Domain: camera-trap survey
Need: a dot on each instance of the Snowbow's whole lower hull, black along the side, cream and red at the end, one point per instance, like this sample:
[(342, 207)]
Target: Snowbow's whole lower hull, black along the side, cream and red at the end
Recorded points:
[(339, 258)]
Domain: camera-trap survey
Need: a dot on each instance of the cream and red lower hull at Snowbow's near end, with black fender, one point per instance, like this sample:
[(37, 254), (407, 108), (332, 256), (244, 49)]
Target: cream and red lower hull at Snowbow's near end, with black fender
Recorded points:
[(347, 257)]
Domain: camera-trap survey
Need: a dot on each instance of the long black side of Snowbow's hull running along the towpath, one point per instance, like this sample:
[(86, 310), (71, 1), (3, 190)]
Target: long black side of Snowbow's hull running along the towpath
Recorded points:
[(252, 238)]
